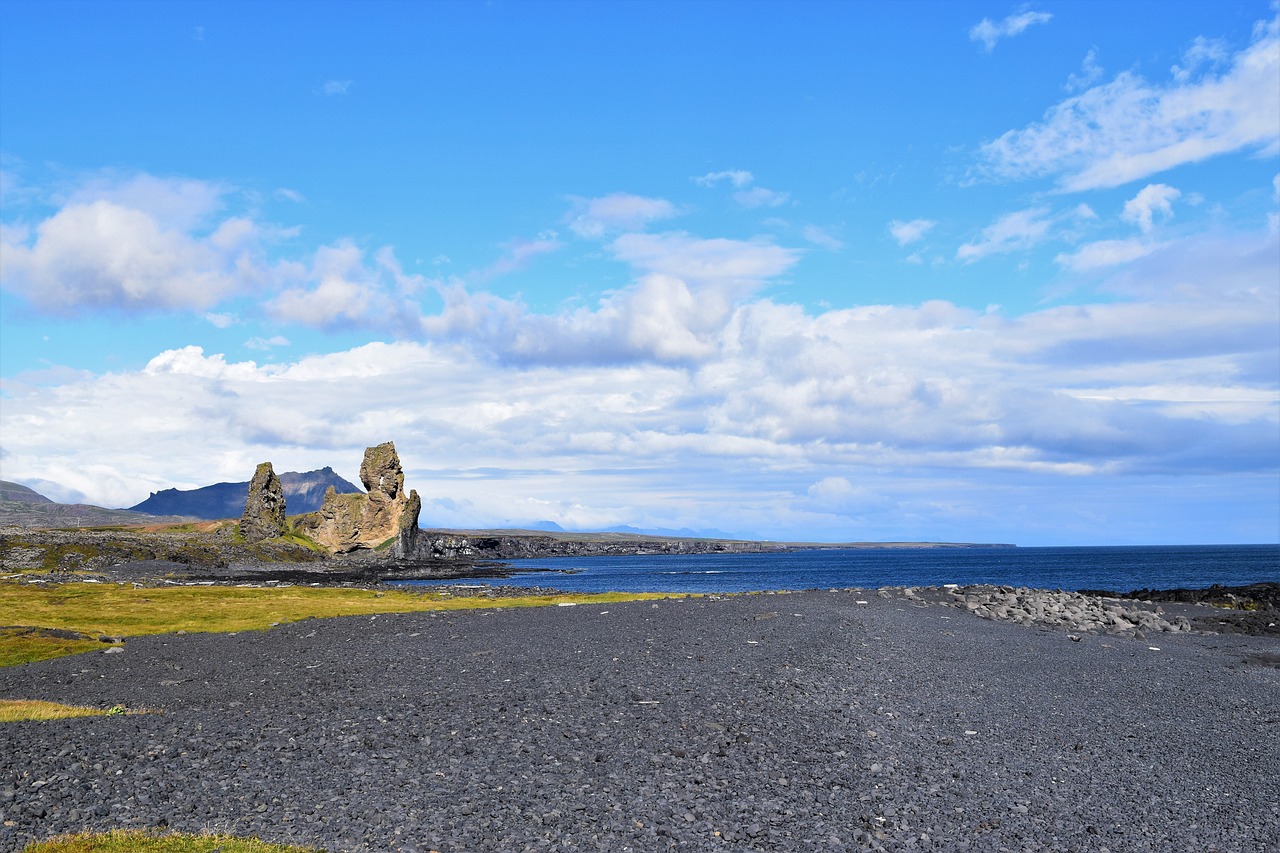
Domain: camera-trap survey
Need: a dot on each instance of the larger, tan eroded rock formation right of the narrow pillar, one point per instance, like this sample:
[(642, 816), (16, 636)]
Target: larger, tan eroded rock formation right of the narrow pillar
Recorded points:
[(349, 523)]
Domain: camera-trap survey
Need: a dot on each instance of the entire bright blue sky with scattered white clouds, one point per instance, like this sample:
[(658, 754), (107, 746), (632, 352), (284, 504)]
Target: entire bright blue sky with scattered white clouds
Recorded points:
[(819, 271)]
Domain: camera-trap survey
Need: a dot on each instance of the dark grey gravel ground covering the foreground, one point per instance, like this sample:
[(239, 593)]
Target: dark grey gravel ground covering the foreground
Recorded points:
[(820, 720)]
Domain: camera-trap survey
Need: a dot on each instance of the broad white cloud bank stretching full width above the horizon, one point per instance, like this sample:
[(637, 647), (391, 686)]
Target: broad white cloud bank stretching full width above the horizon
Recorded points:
[(1178, 382)]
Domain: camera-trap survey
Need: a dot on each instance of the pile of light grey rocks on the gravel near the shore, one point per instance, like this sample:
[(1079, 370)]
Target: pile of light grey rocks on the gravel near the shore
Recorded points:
[(1069, 610)]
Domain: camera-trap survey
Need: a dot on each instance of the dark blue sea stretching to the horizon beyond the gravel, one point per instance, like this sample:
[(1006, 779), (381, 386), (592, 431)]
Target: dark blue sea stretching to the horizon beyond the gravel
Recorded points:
[(1121, 569)]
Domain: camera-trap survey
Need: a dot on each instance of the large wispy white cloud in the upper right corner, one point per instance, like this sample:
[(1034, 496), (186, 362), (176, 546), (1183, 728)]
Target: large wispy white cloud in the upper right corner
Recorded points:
[(1128, 130)]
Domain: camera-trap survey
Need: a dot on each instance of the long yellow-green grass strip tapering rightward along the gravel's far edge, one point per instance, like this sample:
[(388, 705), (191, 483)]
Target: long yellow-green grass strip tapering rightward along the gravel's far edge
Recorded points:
[(124, 610)]
